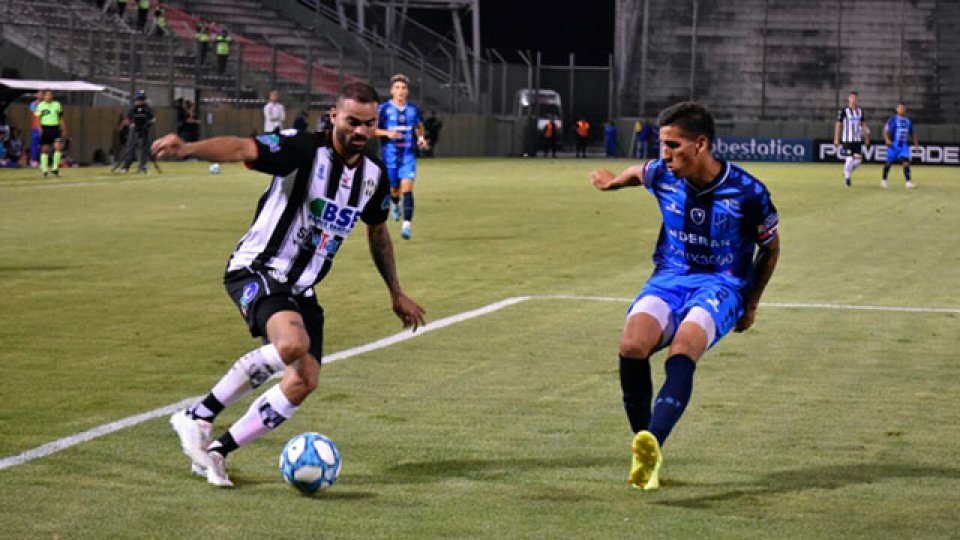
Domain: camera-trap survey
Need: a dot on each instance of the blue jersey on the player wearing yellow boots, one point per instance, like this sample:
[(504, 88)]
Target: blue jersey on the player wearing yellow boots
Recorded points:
[(713, 230)]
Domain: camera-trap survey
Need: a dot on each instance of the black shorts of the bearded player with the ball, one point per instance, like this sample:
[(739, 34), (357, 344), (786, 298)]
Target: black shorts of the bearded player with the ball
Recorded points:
[(258, 296)]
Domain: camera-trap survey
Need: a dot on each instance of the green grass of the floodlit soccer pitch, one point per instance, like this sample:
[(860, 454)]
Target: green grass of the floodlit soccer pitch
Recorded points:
[(817, 423)]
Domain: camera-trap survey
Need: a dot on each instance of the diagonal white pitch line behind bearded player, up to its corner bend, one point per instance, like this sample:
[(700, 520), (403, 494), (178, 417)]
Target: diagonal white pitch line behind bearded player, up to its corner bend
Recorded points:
[(130, 421)]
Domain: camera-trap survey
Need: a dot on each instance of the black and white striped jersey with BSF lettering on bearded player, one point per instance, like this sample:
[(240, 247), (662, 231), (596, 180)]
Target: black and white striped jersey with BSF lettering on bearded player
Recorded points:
[(310, 207)]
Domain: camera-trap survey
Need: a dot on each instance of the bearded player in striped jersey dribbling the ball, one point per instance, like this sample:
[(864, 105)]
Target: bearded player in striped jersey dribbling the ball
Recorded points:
[(319, 190)]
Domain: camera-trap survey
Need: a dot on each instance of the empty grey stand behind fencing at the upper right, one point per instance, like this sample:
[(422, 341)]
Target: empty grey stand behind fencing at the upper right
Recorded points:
[(814, 53)]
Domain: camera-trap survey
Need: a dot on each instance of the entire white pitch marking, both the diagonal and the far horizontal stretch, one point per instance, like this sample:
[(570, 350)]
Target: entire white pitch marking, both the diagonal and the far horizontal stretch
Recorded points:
[(130, 421)]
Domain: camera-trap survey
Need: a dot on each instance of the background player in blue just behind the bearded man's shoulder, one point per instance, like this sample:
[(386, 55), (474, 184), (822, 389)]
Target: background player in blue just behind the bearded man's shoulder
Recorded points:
[(402, 125)]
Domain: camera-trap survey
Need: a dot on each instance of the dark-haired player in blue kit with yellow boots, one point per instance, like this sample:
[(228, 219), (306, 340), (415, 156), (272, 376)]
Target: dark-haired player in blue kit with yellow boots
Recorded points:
[(717, 249)]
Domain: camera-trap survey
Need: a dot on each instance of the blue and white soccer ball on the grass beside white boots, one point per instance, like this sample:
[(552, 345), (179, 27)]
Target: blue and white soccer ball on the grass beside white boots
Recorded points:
[(310, 462)]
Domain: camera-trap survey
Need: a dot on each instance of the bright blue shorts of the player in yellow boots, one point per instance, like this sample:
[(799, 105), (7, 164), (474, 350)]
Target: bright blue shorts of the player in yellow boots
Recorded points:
[(682, 293)]
